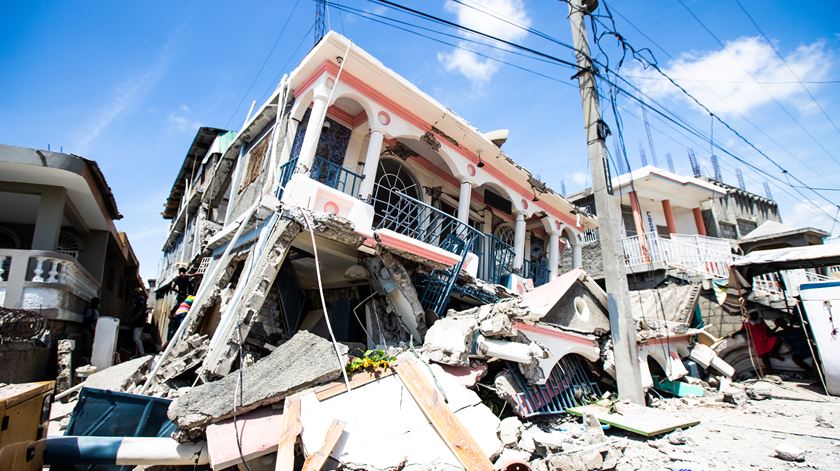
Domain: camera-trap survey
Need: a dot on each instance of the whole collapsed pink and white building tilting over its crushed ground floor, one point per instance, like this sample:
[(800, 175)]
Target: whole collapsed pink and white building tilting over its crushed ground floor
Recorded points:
[(408, 210)]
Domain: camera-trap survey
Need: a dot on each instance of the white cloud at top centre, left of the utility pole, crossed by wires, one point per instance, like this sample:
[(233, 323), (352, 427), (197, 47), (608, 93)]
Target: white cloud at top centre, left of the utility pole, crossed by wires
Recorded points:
[(486, 17)]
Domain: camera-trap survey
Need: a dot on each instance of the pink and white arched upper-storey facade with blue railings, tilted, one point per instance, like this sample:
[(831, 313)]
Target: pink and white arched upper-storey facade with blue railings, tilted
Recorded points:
[(361, 142)]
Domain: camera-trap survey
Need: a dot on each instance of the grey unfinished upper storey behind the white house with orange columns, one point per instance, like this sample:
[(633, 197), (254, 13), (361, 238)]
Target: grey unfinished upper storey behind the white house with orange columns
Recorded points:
[(738, 212)]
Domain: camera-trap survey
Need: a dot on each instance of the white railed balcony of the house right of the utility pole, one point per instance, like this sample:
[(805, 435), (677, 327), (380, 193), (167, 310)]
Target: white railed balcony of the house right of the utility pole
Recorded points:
[(700, 255)]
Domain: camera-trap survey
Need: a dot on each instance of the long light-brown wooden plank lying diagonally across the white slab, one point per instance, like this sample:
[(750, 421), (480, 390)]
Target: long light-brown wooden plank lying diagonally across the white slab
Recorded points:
[(450, 429)]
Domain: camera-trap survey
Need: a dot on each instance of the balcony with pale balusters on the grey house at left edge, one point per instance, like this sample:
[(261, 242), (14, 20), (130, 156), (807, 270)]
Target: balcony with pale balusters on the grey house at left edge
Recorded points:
[(45, 281)]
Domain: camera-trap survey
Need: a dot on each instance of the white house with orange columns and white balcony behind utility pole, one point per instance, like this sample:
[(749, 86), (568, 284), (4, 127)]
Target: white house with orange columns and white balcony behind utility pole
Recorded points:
[(663, 225)]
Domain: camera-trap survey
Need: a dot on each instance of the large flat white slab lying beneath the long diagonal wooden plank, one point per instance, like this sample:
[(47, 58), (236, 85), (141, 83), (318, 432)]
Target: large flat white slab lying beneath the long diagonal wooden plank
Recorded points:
[(403, 435)]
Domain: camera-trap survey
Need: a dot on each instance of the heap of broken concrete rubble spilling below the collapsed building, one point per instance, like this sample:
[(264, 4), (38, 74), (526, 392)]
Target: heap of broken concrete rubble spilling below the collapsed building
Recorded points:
[(489, 385)]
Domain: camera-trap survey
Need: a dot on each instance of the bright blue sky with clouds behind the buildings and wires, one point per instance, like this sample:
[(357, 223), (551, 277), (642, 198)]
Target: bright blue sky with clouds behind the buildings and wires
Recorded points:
[(127, 84)]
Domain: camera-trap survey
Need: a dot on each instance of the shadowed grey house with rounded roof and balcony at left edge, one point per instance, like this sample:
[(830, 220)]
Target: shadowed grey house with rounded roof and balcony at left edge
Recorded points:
[(58, 244)]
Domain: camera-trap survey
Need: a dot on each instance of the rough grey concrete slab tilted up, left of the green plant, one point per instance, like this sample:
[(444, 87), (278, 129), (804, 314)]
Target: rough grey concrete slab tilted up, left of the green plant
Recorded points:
[(303, 361)]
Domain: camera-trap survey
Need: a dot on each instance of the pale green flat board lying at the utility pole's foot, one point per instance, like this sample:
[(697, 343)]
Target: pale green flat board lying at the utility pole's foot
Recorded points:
[(638, 419)]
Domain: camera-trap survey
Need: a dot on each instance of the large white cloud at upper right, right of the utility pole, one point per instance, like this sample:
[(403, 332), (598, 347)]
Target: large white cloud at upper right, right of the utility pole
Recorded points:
[(725, 79)]
